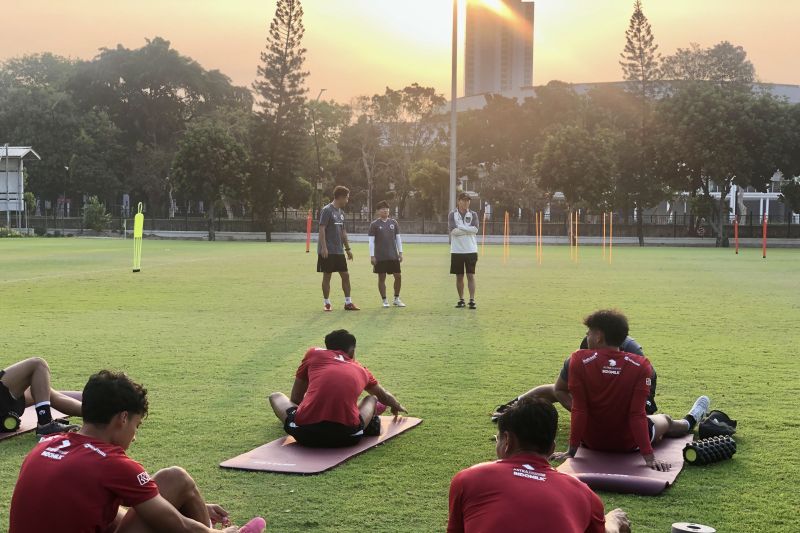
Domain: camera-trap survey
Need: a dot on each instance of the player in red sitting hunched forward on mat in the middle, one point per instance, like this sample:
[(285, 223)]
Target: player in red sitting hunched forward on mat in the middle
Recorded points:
[(324, 411)]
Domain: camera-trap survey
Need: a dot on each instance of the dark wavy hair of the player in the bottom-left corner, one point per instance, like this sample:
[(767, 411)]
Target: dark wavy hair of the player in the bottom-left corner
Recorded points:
[(108, 393)]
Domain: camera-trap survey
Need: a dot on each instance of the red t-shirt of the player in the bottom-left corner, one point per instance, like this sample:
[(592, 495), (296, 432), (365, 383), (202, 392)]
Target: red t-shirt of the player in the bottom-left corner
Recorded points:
[(72, 483)]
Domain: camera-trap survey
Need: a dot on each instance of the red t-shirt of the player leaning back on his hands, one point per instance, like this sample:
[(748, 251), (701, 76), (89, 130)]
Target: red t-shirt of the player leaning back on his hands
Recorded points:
[(609, 390)]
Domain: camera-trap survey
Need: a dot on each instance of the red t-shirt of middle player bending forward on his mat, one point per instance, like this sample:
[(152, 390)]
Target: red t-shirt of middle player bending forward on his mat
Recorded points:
[(335, 381)]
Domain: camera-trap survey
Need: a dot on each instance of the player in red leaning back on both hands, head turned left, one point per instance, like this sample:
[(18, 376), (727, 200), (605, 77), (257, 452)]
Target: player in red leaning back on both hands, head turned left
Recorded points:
[(609, 389)]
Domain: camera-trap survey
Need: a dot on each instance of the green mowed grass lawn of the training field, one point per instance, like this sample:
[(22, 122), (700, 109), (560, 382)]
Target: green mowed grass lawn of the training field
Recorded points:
[(212, 328)]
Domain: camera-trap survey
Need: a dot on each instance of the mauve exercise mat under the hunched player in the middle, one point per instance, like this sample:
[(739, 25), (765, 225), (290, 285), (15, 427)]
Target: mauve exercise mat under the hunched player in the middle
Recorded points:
[(287, 457)]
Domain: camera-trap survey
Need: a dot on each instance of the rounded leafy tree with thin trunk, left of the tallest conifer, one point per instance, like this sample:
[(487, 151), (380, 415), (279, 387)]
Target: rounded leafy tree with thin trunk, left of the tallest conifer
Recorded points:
[(209, 164)]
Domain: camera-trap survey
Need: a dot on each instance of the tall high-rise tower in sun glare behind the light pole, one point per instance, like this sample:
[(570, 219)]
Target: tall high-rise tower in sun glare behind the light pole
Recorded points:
[(499, 47)]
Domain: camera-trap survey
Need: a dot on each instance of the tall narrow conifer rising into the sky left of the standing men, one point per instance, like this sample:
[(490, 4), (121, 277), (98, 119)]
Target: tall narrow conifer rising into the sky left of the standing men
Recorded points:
[(279, 133)]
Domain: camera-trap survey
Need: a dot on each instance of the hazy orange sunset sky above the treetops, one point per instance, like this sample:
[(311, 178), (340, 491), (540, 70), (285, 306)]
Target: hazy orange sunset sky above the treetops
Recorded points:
[(361, 46)]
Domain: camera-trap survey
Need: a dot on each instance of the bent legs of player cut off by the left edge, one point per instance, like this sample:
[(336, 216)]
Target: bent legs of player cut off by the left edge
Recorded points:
[(28, 383)]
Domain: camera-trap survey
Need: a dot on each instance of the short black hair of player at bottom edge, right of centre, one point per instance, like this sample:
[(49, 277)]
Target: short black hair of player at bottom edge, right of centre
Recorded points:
[(534, 421)]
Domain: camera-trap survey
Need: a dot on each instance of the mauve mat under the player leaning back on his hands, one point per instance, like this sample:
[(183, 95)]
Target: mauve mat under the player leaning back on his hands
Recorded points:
[(626, 472)]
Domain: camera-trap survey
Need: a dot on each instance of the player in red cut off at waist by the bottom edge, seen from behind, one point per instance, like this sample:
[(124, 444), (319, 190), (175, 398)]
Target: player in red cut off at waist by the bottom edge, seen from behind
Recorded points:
[(521, 492)]
